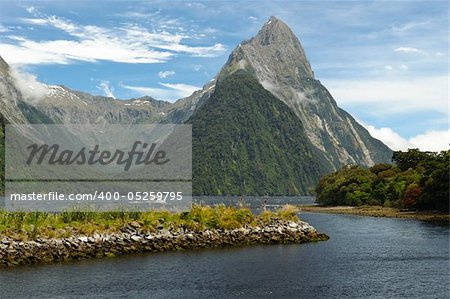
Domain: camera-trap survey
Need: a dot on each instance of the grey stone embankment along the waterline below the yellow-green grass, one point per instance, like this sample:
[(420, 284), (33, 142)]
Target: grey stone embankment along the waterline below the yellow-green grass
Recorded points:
[(134, 239)]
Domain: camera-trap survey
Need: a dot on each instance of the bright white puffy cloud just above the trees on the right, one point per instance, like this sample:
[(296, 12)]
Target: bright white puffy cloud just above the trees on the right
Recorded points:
[(429, 141)]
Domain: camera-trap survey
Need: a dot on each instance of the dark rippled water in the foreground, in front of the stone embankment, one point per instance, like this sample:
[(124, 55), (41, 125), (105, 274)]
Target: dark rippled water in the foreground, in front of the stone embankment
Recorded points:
[(365, 257)]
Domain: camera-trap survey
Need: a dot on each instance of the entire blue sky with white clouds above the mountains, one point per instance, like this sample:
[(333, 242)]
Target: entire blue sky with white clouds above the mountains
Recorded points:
[(385, 62)]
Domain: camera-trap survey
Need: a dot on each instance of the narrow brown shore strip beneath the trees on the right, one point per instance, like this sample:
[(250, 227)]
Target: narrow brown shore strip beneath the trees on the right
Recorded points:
[(377, 211)]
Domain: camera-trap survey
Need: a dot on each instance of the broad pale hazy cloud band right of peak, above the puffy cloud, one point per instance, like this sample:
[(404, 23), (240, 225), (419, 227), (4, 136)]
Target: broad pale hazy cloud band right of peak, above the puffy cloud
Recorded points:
[(388, 96)]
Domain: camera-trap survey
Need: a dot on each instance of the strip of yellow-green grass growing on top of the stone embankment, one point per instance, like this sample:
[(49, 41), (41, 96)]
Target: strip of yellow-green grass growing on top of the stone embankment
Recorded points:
[(33, 225)]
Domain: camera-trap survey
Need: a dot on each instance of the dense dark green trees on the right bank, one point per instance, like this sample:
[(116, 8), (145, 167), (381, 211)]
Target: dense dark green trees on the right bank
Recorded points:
[(417, 180)]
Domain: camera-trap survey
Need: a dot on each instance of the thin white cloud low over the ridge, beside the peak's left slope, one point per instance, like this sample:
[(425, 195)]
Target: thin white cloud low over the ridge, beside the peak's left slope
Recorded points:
[(170, 93)]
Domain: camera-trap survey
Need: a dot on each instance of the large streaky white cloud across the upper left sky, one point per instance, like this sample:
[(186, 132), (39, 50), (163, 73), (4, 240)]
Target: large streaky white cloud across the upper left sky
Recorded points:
[(126, 44)]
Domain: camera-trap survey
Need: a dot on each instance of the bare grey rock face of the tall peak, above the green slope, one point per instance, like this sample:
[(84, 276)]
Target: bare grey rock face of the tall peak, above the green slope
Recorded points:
[(277, 59)]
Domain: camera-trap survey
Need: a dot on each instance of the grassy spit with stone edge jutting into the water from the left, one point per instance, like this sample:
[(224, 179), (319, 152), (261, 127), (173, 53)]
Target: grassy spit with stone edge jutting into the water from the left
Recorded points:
[(201, 227)]
